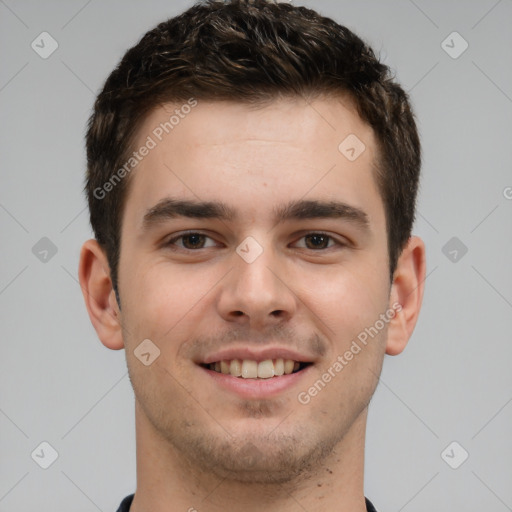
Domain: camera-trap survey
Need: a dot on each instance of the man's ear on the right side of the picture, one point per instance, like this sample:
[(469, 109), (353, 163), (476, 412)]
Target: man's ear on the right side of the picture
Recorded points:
[(406, 295)]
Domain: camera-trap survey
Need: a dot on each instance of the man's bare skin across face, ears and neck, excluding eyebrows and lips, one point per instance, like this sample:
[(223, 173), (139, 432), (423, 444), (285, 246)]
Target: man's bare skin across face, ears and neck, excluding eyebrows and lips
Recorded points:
[(202, 447)]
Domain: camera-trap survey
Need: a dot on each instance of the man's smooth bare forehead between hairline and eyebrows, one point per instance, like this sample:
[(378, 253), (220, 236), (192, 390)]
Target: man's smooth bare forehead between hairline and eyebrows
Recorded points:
[(256, 157)]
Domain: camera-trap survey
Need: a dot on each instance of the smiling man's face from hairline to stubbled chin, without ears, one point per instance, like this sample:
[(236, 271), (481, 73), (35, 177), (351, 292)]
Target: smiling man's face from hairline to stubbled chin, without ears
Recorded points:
[(249, 236)]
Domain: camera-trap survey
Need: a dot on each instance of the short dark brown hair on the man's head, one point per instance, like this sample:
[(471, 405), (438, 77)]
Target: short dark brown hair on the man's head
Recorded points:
[(249, 51)]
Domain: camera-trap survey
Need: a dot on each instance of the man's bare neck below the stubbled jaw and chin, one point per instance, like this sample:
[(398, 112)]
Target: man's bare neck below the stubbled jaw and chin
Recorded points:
[(167, 481)]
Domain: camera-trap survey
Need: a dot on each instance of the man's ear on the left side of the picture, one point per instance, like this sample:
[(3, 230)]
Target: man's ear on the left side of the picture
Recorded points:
[(99, 295)]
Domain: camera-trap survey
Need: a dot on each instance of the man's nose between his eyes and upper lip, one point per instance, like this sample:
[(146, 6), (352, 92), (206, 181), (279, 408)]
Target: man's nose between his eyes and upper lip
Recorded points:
[(257, 294)]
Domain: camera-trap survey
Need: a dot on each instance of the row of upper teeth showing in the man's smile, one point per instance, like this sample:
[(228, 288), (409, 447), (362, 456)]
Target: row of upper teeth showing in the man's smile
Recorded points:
[(249, 369)]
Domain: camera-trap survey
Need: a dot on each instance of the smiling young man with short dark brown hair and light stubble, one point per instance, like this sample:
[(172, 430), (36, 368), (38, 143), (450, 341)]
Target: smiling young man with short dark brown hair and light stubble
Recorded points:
[(252, 177)]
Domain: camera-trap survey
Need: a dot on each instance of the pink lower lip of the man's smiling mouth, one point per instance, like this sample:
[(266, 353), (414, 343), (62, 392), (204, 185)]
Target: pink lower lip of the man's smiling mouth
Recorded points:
[(257, 388)]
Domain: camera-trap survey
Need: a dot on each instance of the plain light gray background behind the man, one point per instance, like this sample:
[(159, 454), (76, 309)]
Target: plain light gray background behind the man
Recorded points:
[(453, 382)]
